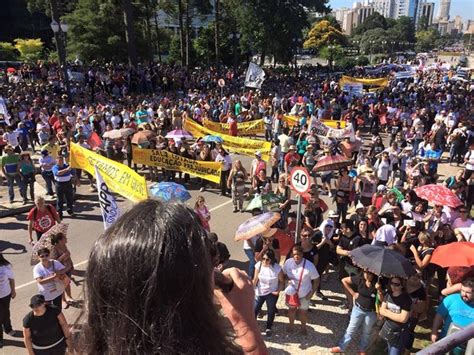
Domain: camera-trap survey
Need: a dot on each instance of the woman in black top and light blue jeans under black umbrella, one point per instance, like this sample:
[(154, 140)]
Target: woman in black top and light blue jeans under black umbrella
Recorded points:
[(363, 289)]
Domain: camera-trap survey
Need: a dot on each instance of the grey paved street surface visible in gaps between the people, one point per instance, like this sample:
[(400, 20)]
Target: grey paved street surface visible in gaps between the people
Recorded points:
[(86, 227)]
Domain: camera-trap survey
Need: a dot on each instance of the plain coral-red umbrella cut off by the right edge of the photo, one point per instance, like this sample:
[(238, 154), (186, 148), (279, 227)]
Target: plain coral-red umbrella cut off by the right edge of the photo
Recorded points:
[(454, 254)]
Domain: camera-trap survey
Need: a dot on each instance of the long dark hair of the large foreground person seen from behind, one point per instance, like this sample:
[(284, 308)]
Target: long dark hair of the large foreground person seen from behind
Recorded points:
[(162, 301)]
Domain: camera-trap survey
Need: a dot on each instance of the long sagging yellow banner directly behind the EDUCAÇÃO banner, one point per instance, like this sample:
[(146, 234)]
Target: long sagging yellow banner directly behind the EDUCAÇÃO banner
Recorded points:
[(235, 144)]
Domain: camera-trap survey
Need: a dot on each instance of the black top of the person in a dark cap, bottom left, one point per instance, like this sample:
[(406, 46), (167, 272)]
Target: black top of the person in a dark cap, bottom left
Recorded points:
[(45, 330)]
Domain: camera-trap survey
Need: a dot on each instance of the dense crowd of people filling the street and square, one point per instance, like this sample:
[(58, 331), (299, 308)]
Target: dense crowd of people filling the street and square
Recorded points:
[(421, 118)]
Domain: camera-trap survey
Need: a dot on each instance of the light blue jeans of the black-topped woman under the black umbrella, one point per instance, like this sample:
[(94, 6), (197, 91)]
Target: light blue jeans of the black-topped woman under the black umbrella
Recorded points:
[(358, 318)]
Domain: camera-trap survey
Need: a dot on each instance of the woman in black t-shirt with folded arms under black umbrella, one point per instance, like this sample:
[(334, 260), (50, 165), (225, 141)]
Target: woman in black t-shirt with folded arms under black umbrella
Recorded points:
[(396, 307)]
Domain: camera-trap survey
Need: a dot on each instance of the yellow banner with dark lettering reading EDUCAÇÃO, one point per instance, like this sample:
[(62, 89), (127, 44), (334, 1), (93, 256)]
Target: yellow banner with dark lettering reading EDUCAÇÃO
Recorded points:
[(208, 170)]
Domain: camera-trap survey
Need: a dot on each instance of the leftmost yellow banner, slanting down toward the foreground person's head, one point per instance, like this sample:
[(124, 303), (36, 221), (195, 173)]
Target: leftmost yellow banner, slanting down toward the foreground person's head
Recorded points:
[(118, 177)]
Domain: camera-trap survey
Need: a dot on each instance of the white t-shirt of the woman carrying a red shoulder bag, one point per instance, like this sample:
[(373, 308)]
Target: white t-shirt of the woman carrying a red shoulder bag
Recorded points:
[(293, 272)]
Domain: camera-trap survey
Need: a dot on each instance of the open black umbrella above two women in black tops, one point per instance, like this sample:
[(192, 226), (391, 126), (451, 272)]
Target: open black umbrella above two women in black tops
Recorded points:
[(382, 261)]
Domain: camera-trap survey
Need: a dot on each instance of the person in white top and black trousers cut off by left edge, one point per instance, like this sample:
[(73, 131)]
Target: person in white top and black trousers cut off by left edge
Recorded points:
[(7, 292)]
